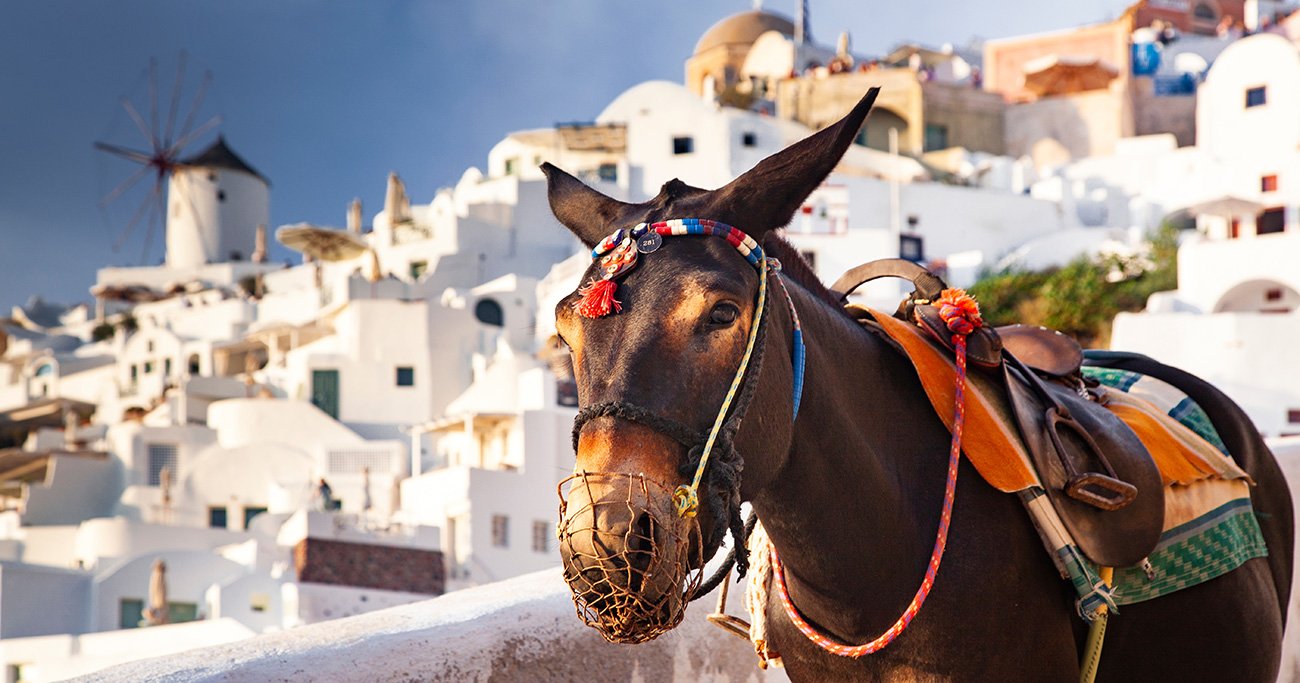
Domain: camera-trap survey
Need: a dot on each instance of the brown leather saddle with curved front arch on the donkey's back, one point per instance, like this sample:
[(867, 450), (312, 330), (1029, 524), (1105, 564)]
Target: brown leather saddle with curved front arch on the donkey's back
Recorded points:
[(1097, 472)]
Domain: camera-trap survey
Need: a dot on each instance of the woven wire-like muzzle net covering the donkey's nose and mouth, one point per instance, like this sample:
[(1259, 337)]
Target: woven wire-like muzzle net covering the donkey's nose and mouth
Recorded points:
[(634, 578)]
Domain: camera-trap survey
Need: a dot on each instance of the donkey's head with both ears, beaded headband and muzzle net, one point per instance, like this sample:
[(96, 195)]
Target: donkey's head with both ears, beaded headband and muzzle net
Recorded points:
[(655, 364)]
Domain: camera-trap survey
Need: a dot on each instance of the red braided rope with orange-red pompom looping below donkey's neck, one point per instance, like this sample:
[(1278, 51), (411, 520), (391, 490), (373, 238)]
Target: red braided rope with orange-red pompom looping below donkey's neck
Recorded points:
[(961, 314)]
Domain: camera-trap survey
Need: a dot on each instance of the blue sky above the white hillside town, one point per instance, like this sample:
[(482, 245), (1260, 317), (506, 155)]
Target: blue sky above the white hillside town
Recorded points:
[(326, 98)]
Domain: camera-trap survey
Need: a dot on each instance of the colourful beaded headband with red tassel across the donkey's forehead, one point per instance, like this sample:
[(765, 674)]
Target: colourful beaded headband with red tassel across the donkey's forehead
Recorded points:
[(618, 254)]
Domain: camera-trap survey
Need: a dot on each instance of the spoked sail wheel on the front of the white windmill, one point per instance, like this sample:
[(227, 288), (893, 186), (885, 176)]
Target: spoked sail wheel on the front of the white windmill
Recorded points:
[(162, 153)]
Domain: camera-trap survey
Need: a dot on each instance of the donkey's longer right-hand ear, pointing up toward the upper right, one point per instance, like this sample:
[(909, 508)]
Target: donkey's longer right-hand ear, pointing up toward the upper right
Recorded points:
[(768, 196)]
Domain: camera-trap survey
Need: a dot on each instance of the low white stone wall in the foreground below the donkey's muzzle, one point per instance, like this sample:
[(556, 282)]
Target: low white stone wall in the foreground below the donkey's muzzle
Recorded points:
[(523, 630)]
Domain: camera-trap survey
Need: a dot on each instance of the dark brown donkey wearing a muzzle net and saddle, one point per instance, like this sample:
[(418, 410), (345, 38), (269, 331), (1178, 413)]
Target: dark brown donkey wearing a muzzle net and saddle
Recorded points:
[(851, 490)]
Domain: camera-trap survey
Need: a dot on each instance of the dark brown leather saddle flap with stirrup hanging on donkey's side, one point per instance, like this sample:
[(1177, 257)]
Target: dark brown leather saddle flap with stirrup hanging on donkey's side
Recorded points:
[(1119, 537)]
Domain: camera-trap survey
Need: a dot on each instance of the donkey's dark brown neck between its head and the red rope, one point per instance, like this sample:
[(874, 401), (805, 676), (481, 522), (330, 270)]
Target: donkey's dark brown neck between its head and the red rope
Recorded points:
[(853, 509)]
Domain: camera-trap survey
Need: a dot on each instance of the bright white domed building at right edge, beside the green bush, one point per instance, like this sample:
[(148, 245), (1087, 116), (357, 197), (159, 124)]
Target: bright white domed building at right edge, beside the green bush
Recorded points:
[(1238, 301)]
